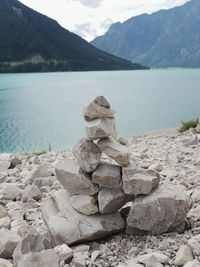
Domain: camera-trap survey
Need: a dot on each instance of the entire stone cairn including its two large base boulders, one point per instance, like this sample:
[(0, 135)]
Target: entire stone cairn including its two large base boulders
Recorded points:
[(98, 190)]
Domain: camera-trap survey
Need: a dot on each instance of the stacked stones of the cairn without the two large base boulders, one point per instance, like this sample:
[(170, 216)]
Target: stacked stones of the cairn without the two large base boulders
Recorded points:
[(97, 186)]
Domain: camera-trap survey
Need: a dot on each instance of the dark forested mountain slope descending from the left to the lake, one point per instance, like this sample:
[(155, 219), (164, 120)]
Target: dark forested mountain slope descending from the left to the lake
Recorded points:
[(30, 41)]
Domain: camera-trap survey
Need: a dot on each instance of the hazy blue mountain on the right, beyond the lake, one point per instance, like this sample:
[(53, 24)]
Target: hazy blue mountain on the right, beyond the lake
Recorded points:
[(167, 38)]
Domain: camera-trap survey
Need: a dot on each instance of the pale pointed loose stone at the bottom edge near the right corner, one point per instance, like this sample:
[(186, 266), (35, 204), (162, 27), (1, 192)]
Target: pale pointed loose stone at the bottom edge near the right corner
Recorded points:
[(183, 256)]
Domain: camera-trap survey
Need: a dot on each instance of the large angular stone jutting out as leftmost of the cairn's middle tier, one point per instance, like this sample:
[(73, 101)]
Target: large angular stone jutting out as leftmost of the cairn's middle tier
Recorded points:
[(74, 179)]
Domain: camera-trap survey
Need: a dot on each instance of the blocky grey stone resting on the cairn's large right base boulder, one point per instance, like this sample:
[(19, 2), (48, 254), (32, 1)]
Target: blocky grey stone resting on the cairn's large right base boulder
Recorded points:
[(139, 182)]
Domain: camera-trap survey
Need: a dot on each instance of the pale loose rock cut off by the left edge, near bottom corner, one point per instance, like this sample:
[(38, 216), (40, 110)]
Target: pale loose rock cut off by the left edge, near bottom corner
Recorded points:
[(8, 243)]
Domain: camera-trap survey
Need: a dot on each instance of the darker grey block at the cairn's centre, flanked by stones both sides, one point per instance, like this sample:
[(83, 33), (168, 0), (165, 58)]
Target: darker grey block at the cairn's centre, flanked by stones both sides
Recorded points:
[(107, 175)]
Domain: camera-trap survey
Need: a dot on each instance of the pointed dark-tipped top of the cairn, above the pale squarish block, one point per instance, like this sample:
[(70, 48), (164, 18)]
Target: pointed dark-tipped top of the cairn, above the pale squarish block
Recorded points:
[(98, 109)]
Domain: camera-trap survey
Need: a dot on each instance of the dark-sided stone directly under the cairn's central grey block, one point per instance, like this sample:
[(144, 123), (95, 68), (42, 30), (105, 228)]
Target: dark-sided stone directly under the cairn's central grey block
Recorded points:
[(111, 199)]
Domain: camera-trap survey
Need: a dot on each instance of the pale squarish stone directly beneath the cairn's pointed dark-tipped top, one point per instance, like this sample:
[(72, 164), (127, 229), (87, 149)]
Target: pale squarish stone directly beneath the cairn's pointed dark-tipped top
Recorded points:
[(100, 128)]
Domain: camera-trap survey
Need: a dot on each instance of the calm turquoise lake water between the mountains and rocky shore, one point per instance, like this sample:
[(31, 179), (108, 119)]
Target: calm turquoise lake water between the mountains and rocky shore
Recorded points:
[(41, 109)]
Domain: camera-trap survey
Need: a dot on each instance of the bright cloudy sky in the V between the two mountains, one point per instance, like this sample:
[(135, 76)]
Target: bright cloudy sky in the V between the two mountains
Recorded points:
[(91, 18)]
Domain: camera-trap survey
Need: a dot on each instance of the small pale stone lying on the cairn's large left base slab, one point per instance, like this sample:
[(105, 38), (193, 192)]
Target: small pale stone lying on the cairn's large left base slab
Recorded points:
[(84, 204)]
